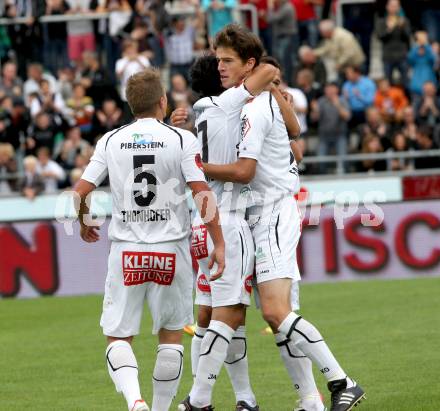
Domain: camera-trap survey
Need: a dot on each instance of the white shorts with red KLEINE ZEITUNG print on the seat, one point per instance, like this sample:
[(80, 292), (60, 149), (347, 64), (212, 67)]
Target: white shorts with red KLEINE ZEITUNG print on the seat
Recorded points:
[(160, 274)]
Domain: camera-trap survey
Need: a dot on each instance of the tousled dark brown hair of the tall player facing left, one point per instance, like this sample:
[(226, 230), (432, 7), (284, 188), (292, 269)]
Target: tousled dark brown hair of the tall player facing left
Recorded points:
[(245, 43)]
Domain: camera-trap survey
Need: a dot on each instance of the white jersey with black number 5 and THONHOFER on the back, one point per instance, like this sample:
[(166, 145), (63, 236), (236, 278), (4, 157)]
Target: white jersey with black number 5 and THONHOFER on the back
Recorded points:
[(148, 164)]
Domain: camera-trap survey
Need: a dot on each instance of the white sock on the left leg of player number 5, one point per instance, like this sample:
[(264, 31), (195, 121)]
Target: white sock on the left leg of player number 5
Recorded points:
[(123, 370)]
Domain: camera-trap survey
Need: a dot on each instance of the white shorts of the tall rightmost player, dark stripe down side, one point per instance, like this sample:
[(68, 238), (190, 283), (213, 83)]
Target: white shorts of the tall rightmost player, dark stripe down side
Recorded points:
[(276, 229)]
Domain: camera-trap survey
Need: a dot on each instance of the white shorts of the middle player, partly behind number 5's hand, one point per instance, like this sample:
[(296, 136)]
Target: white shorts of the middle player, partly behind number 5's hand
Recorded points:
[(235, 285)]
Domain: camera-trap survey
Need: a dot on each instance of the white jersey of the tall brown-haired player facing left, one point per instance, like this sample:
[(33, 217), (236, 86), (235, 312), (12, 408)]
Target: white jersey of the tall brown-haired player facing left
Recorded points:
[(264, 138)]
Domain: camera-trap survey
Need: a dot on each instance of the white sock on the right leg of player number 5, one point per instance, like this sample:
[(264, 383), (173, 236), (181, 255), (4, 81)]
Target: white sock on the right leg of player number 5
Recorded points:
[(166, 375)]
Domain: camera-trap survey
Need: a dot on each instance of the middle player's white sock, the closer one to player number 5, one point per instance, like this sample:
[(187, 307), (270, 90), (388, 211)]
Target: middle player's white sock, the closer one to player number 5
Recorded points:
[(212, 355)]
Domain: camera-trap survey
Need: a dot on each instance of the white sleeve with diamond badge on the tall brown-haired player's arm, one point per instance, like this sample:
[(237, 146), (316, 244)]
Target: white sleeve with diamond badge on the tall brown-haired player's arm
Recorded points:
[(254, 126)]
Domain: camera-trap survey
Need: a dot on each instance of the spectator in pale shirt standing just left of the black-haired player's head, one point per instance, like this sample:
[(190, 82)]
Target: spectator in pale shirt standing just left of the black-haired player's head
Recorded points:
[(179, 47)]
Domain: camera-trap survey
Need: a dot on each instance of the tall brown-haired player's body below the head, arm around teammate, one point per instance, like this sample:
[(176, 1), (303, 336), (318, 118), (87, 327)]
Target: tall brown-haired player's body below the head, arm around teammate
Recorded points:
[(264, 162)]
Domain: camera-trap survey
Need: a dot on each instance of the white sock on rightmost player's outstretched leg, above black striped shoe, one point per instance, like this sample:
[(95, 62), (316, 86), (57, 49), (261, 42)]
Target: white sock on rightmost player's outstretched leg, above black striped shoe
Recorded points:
[(309, 340)]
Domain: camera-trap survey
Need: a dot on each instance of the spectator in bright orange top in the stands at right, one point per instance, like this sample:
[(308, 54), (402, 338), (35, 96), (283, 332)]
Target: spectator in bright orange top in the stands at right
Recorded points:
[(390, 101)]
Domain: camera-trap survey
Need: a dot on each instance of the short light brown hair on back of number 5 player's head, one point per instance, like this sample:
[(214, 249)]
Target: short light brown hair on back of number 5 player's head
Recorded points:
[(144, 91)]
